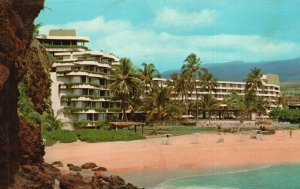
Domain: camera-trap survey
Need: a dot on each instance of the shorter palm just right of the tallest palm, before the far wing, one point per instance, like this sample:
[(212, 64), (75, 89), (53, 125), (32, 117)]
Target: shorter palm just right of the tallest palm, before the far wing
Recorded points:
[(208, 85)]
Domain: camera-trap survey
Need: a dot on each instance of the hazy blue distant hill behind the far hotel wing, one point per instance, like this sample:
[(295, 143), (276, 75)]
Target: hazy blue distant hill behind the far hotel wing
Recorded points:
[(288, 70)]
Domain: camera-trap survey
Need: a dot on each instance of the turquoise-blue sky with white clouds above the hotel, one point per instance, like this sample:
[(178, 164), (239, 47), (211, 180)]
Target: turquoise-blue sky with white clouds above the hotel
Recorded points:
[(165, 32)]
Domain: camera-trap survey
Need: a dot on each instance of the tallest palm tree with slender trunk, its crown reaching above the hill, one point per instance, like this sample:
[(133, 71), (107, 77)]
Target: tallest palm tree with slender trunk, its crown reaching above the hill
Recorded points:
[(189, 70)]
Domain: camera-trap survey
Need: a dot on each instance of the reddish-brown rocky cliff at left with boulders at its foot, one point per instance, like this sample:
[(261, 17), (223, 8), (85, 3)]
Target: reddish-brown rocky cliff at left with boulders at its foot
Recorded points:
[(21, 146)]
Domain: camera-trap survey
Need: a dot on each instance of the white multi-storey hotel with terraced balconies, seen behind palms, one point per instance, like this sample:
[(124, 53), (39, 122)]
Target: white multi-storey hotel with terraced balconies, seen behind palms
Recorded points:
[(80, 94)]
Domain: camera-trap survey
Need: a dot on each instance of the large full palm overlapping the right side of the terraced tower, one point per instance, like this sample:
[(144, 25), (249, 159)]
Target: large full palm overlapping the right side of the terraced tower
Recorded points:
[(126, 84)]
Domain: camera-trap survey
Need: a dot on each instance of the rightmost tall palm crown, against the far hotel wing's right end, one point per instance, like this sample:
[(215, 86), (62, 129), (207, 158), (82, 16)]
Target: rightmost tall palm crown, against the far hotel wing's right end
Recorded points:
[(253, 80)]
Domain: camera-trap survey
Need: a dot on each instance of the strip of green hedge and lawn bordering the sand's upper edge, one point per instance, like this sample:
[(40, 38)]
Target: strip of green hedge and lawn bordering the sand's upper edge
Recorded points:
[(101, 135)]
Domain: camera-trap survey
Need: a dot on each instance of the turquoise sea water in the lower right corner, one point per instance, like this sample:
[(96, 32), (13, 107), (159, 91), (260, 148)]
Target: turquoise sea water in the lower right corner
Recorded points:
[(274, 177)]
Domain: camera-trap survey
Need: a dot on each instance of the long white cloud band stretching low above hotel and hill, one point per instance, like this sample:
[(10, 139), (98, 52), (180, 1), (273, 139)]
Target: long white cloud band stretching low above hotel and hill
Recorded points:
[(167, 51)]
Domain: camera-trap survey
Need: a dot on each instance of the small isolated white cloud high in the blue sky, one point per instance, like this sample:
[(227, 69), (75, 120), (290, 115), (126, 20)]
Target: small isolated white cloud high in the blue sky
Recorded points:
[(168, 17)]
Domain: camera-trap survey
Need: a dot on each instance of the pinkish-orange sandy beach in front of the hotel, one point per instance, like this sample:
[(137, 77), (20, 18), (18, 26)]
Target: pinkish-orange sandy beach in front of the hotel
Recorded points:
[(151, 161)]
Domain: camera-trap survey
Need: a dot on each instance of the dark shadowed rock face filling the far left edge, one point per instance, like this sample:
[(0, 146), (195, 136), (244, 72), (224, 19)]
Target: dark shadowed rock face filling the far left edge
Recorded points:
[(16, 23)]
